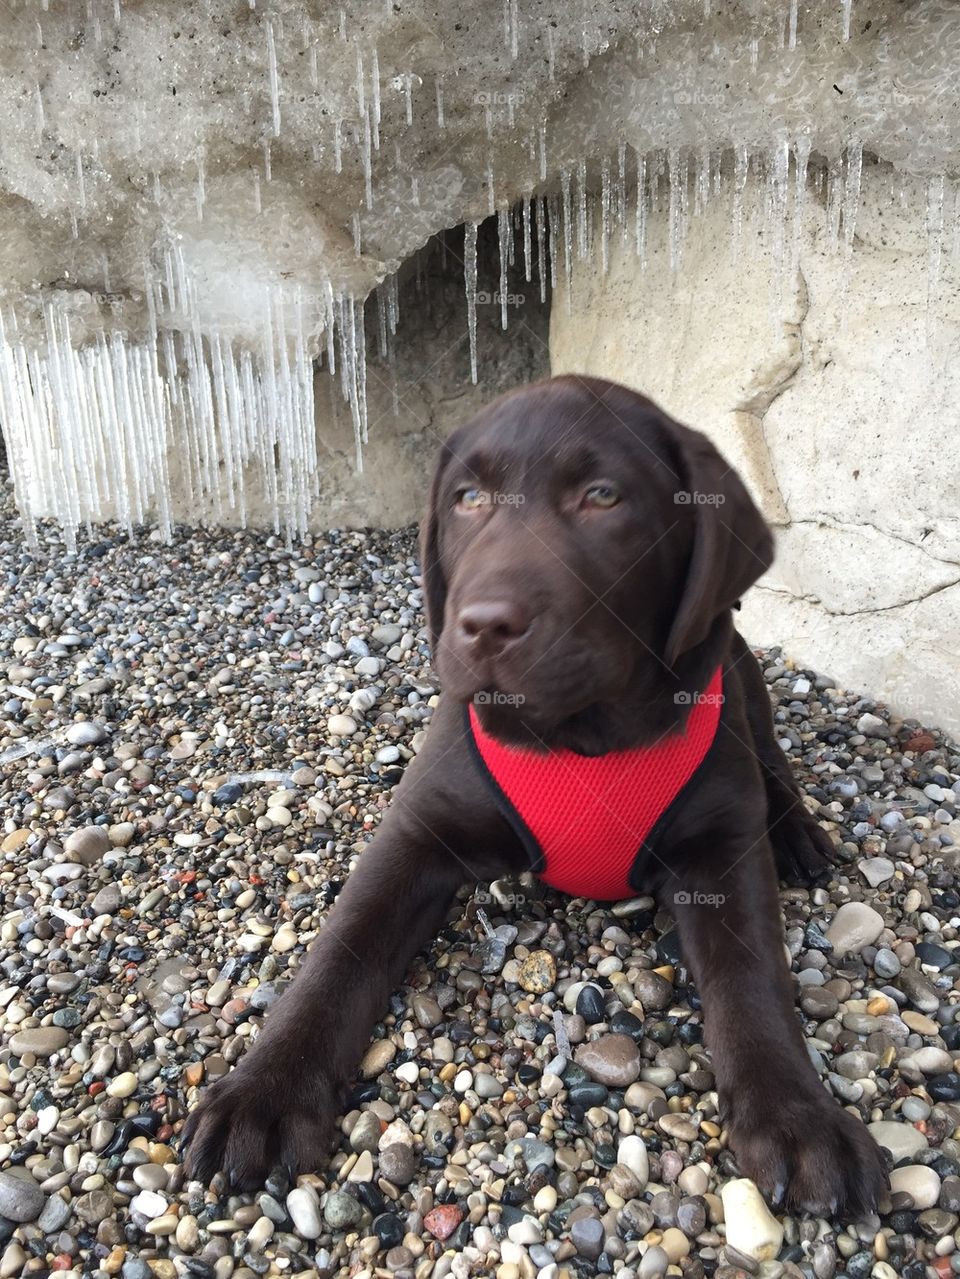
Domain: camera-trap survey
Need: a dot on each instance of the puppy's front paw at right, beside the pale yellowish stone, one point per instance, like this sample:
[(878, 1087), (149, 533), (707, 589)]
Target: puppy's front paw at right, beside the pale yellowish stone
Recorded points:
[(811, 1157)]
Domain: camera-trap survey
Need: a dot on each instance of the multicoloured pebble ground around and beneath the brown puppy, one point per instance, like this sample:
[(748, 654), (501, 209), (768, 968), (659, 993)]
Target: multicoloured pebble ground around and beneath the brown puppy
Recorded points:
[(196, 744)]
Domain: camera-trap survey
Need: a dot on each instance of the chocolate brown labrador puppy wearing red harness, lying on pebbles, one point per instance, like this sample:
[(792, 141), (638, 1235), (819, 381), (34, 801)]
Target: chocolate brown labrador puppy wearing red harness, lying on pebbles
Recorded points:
[(582, 554)]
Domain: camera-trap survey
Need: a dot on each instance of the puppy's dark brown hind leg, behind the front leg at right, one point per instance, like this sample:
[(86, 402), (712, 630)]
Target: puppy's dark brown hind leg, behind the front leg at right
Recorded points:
[(803, 850)]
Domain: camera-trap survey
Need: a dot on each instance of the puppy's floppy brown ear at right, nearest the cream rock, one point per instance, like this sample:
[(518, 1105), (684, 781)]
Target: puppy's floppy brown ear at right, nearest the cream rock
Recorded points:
[(733, 544)]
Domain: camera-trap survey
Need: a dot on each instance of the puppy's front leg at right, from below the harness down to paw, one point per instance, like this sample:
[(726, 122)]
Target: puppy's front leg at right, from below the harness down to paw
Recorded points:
[(789, 1135)]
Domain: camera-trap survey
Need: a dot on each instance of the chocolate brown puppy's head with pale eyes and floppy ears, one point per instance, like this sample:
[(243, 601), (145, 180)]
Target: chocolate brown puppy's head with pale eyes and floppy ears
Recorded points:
[(580, 548)]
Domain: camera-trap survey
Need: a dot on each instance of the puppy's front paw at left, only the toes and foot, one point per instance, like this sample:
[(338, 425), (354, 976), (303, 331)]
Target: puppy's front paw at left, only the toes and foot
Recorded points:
[(256, 1120)]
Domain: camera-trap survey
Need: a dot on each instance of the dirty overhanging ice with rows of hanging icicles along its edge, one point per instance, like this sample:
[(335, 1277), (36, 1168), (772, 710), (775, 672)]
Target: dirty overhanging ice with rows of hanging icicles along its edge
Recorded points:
[(203, 205)]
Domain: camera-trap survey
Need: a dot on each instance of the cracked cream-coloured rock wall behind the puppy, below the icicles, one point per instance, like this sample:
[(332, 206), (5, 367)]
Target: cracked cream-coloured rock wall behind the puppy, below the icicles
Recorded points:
[(837, 392)]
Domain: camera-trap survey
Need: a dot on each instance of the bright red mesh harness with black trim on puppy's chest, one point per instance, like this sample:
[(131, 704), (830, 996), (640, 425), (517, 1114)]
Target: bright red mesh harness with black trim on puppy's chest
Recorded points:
[(590, 823)]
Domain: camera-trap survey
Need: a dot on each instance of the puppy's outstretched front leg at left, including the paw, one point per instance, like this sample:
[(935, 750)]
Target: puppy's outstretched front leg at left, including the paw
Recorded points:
[(278, 1107)]
